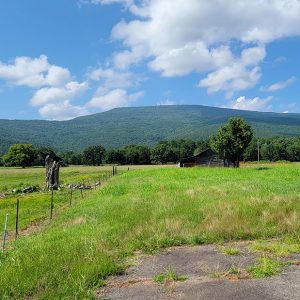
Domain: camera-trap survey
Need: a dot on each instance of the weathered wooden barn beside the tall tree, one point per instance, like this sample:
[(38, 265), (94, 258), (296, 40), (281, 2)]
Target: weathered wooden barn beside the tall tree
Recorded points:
[(207, 158)]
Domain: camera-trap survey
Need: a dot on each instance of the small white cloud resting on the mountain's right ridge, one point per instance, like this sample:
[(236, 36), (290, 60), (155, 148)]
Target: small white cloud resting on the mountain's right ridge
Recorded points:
[(256, 104)]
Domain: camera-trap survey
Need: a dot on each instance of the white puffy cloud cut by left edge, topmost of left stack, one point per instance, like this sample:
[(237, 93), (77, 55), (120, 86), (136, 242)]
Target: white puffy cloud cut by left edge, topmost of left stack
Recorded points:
[(33, 72)]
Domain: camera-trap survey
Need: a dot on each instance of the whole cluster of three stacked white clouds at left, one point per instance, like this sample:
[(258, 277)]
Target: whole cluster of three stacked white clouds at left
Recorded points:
[(53, 86)]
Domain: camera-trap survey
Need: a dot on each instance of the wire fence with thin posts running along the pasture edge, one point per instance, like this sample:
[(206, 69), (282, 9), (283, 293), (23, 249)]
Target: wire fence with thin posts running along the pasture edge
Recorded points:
[(23, 215)]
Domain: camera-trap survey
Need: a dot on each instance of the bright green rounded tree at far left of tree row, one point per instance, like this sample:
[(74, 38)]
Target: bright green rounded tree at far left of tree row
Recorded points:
[(20, 155)]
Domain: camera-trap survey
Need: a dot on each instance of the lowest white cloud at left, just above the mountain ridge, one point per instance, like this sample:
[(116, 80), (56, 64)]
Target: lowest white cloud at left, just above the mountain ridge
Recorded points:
[(62, 111)]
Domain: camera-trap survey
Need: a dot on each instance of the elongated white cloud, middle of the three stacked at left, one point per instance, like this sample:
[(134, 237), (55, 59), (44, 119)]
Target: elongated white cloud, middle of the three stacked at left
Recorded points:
[(58, 94)]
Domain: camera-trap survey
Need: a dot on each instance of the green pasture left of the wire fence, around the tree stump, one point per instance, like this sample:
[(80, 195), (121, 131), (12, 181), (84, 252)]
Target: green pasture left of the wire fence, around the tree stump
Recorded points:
[(36, 206)]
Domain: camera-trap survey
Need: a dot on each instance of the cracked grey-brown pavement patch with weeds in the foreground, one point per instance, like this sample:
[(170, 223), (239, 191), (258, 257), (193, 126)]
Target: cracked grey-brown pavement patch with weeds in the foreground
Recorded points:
[(210, 274)]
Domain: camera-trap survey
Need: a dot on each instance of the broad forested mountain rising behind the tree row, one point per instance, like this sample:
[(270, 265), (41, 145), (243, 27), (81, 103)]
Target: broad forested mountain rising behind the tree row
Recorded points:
[(140, 125)]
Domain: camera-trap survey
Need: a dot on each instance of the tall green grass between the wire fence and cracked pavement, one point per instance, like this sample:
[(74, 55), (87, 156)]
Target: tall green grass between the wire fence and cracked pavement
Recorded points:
[(146, 210)]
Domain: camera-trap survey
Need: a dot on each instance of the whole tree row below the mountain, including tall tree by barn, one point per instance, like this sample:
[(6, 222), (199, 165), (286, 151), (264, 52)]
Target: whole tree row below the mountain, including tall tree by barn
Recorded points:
[(234, 142)]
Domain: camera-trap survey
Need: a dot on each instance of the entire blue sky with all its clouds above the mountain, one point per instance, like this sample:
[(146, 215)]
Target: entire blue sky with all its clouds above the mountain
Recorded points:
[(62, 59)]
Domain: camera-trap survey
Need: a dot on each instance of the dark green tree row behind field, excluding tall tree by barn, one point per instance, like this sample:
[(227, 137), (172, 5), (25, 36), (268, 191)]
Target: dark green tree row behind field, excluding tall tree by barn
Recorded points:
[(269, 149)]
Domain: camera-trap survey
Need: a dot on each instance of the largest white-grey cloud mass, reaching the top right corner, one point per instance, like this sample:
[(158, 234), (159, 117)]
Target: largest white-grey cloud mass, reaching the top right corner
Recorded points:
[(178, 37)]
